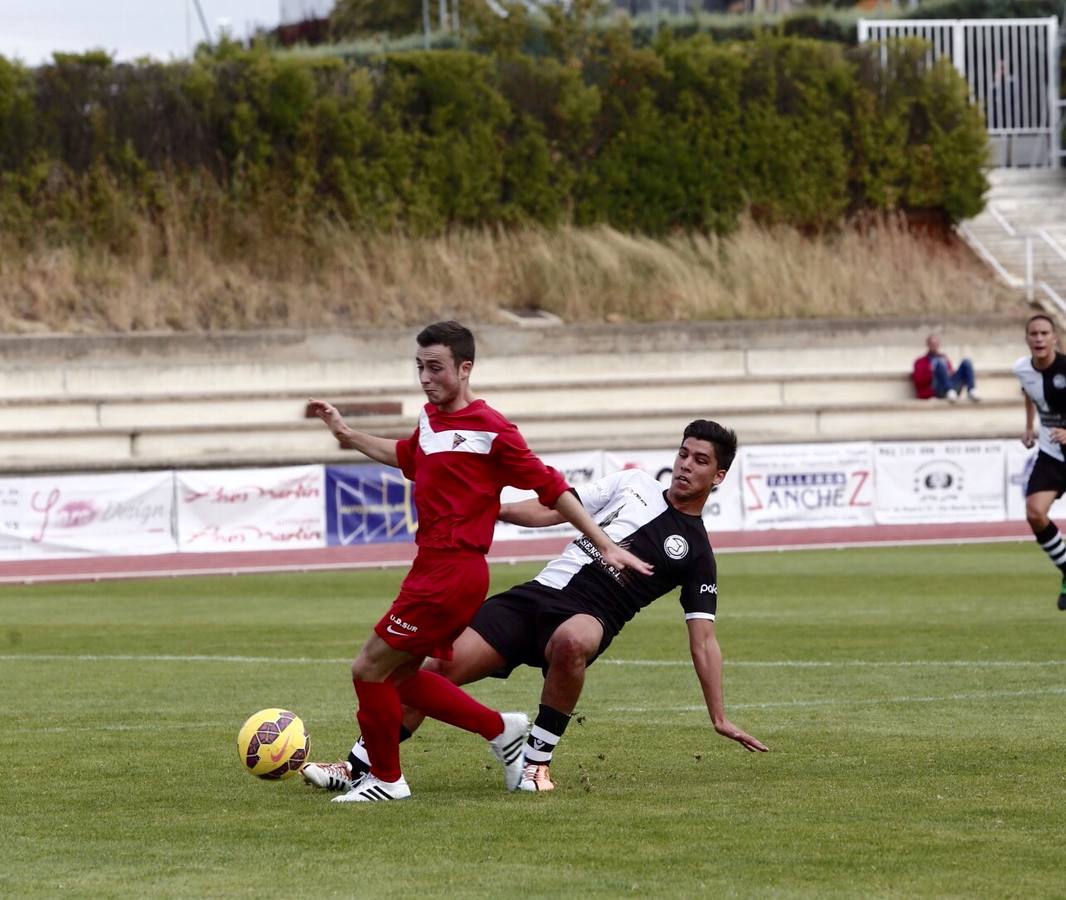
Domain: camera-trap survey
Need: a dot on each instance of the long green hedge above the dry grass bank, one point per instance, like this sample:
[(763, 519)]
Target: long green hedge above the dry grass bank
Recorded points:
[(684, 135)]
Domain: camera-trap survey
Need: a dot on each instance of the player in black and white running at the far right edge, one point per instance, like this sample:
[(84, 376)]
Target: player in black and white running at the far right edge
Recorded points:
[(1043, 378)]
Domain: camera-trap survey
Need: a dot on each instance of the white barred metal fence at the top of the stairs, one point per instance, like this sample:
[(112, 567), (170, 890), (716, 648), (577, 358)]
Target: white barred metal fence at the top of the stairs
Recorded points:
[(1012, 67)]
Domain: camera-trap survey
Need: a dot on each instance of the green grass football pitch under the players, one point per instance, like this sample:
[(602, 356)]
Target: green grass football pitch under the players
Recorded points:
[(913, 699)]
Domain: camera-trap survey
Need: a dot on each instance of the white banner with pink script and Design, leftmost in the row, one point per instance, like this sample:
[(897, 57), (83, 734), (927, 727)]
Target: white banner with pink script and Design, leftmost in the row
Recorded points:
[(78, 516)]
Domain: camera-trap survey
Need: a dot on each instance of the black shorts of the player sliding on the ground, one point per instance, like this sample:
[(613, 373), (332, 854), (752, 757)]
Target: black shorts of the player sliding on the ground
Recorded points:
[(520, 622)]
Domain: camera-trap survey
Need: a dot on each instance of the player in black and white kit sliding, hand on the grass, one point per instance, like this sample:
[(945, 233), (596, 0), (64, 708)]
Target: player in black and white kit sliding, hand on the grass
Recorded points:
[(569, 616)]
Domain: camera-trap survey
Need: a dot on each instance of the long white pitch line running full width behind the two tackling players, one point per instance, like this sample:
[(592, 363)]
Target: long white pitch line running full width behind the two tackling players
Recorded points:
[(657, 664)]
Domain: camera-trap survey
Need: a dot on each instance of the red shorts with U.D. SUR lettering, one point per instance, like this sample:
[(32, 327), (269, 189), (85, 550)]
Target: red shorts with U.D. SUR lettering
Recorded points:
[(438, 600)]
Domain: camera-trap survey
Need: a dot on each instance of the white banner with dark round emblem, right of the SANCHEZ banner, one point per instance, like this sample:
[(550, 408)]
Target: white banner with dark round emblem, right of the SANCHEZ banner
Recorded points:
[(940, 483)]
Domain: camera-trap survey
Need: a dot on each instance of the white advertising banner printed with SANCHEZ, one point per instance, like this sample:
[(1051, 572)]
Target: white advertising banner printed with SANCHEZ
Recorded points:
[(807, 486)]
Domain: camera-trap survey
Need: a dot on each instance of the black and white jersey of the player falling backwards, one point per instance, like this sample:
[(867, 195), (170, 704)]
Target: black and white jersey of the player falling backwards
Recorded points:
[(632, 507)]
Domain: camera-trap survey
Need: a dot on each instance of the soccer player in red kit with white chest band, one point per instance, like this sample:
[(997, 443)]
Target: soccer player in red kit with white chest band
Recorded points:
[(460, 458)]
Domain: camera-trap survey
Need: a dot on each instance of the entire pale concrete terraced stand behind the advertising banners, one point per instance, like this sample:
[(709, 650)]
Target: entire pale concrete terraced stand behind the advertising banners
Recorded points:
[(146, 404)]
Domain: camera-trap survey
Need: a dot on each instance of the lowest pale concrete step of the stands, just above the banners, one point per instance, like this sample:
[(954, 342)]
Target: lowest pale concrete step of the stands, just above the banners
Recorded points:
[(278, 444)]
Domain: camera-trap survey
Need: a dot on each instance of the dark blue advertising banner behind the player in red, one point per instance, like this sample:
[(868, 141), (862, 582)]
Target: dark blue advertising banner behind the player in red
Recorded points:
[(368, 505)]
